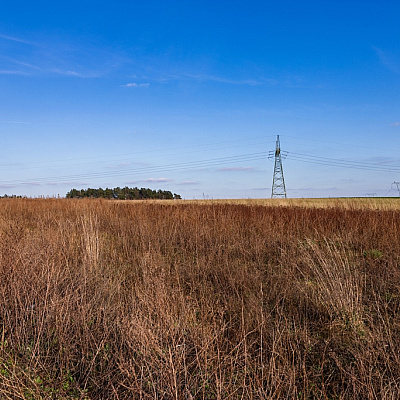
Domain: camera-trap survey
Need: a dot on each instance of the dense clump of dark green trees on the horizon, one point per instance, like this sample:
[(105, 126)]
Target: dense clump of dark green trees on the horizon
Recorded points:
[(125, 193)]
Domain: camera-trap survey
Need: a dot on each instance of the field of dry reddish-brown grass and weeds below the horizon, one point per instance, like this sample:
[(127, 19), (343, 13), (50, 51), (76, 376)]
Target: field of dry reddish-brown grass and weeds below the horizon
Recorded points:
[(269, 299)]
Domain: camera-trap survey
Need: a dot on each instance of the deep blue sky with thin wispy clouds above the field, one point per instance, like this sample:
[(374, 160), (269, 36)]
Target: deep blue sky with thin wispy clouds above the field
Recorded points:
[(189, 96)]
